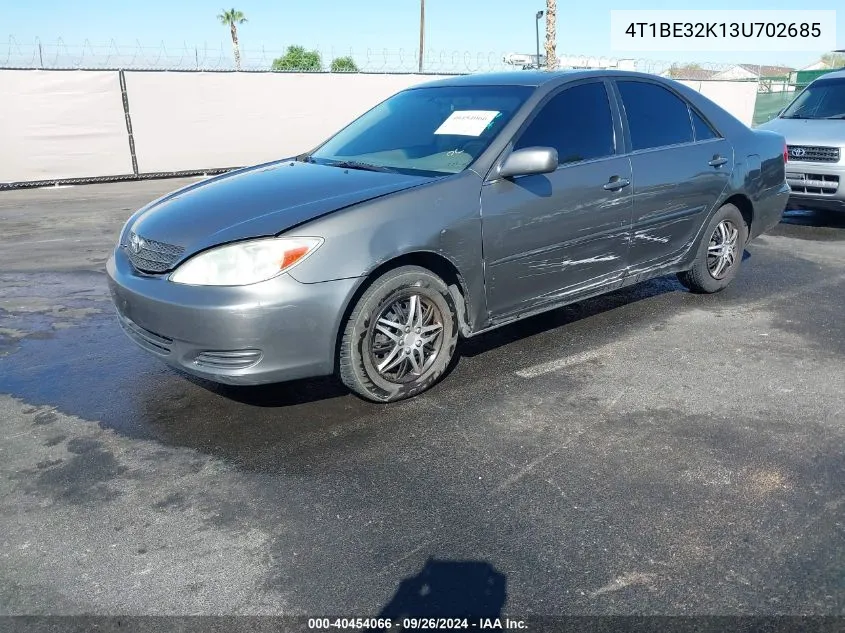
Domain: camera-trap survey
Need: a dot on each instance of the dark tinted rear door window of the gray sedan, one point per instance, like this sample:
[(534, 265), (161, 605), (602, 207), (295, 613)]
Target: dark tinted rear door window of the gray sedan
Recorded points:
[(656, 117)]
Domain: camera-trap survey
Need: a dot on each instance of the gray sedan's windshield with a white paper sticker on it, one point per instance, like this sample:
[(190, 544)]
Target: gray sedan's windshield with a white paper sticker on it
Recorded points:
[(426, 131)]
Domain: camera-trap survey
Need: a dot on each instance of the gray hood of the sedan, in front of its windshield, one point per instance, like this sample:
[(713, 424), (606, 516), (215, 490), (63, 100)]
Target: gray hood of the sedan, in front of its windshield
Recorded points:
[(258, 202)]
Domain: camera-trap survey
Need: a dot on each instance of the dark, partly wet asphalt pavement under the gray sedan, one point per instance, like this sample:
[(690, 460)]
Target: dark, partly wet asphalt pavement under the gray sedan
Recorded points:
[(650, 451)]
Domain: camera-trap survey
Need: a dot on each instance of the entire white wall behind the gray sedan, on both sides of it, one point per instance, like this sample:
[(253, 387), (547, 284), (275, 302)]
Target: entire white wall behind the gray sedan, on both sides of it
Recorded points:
[(70, 124)]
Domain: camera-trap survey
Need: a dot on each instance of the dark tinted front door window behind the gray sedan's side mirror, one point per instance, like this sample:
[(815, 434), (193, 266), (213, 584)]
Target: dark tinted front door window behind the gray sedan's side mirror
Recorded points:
[(577, 122)]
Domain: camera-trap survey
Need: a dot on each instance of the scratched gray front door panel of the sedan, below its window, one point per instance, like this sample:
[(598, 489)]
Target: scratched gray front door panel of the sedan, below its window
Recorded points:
[(550, 234)]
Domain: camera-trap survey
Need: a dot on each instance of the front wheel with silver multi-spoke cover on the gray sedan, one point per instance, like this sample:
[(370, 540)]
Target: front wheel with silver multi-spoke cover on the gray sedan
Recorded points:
[(388, 354)]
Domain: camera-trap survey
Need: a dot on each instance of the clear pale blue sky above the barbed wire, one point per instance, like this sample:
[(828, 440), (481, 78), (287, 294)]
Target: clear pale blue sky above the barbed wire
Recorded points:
[(453, 27)]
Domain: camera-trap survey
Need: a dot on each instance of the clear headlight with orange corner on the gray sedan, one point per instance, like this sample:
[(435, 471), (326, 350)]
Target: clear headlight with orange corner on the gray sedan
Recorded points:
[(245, 263)]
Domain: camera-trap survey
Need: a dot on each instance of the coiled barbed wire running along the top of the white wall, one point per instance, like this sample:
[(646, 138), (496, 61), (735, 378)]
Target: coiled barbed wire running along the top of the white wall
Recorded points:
[(59, 54)]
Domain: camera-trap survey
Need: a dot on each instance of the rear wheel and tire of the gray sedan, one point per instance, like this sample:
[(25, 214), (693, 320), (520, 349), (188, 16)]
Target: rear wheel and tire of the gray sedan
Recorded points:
[(714, 268)]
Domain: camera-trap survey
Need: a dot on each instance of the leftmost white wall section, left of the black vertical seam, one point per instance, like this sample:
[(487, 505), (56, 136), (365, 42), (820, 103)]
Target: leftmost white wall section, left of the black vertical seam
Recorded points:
[(61, 124)]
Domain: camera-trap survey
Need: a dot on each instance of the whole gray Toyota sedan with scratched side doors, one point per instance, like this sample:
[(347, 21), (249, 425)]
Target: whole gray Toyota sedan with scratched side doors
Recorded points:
[(451, 208)]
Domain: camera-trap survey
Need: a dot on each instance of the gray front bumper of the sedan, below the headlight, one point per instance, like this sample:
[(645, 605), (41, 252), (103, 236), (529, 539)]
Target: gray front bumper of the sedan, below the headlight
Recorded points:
[(268, 332)]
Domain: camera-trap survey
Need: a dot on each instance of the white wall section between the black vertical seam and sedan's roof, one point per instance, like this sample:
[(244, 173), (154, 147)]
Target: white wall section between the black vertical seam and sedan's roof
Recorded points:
[(184, 121)]
